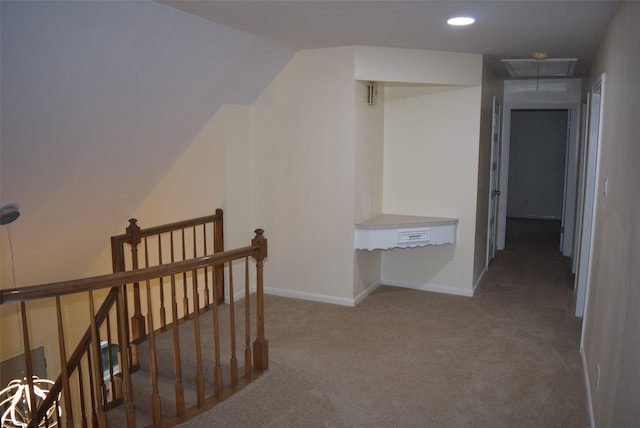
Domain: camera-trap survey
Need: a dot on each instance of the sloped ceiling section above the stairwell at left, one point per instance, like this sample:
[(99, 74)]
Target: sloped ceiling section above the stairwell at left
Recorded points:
[(98, 100)]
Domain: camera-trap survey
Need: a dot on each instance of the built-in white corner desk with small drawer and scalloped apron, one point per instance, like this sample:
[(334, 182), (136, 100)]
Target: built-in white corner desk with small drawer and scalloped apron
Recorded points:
[(386, 231)]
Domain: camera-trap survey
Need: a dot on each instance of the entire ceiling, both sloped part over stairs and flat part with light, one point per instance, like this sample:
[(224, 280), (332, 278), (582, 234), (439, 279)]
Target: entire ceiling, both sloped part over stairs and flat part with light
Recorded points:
[(99, 99)]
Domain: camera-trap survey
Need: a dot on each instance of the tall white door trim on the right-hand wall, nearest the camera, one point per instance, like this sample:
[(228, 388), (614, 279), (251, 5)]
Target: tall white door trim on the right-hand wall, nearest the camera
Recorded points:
[(590, 197)]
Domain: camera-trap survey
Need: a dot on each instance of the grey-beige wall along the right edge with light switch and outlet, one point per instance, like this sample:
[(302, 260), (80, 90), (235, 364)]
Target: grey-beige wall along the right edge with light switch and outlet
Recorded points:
[(612, 320)]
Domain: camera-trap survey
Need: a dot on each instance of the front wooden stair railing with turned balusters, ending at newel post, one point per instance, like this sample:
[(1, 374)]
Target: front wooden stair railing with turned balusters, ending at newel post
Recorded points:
[(86, 389)]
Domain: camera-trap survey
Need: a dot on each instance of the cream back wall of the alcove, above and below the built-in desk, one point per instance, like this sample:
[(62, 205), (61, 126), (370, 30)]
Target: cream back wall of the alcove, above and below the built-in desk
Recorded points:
[(431, 169)]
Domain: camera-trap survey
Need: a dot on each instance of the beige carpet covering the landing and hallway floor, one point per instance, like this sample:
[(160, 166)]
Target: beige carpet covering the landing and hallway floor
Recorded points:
[(507, 357)]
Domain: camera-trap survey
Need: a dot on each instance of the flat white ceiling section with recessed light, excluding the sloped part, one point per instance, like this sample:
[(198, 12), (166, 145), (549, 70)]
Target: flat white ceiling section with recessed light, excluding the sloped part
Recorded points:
[(503, 29)]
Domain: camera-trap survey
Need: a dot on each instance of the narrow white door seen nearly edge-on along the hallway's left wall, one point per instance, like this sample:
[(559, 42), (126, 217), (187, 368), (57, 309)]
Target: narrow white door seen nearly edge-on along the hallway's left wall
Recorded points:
[(494, 190)]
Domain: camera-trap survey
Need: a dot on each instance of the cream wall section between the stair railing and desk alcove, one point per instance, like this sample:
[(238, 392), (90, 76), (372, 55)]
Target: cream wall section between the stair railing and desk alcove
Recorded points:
[(303, 131)]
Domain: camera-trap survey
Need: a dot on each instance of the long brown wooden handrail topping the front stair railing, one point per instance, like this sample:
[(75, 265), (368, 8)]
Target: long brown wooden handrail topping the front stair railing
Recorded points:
[(62, 288)]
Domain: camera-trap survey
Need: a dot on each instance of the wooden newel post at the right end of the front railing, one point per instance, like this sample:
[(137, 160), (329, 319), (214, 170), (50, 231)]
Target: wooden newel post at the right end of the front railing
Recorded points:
[(260, 345)]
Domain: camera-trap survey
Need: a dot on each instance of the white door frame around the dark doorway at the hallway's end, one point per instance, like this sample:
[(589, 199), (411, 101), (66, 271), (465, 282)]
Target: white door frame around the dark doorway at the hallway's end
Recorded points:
[(571, 163)]
